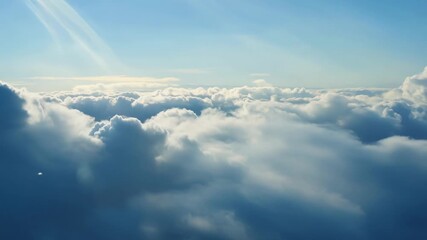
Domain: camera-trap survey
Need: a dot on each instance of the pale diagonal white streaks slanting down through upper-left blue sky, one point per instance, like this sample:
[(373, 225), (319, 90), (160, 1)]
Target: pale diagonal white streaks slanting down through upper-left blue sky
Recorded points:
[(62, 21)]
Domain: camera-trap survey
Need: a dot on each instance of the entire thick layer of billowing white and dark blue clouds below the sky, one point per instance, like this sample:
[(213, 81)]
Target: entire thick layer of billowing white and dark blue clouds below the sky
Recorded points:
[(215, 163)]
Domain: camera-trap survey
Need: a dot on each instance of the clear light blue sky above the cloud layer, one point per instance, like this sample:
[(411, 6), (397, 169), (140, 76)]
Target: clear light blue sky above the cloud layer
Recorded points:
[(302, 43)]
